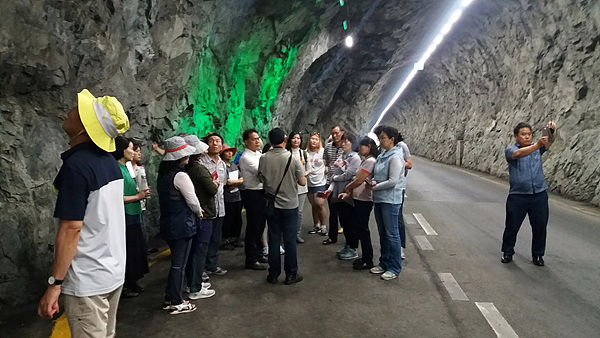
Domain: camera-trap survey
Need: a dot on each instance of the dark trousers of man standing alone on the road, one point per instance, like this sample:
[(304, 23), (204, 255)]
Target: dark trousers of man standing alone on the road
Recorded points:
[(517, 207)]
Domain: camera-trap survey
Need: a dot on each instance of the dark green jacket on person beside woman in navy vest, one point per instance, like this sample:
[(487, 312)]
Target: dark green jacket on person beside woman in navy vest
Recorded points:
[(205, 188)]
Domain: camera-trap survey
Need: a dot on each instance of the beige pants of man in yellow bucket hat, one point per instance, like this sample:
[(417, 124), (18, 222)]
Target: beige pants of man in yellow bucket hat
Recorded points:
[(94, 316)]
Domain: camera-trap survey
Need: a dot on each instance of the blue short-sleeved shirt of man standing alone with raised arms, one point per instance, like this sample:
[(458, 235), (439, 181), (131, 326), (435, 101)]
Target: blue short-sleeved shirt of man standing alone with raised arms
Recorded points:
[(526, 173)]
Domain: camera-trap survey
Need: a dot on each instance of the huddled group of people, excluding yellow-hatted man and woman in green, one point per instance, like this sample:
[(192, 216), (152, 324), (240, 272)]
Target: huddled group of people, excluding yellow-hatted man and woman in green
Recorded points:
[(272, 186)]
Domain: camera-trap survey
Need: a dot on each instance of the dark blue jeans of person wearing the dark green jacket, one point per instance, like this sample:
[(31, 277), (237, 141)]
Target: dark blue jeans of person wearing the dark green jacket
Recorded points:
[(197, 257)]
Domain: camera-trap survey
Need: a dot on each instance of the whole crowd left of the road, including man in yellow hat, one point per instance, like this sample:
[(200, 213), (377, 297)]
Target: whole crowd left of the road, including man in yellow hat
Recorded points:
[(202, 187)]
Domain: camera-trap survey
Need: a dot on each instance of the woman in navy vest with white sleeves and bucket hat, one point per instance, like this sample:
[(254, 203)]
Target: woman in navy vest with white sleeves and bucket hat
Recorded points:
[(179, 209)]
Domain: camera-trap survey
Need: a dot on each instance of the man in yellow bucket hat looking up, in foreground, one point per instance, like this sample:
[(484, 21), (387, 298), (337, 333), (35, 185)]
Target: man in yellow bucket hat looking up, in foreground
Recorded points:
[(92, 218)]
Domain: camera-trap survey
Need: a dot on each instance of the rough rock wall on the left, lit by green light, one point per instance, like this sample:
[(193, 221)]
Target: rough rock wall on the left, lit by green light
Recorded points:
[(192, 66)]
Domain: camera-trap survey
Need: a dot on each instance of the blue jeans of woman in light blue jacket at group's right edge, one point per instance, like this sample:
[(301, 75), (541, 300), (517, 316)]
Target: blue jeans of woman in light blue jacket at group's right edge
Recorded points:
[(386, 216)]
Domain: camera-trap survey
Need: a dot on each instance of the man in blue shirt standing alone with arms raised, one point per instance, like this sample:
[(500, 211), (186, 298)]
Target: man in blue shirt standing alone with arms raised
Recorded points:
[(527, 195)]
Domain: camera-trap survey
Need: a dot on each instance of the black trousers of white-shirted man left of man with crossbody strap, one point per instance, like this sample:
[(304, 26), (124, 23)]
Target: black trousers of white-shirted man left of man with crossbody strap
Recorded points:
[(254, 202)]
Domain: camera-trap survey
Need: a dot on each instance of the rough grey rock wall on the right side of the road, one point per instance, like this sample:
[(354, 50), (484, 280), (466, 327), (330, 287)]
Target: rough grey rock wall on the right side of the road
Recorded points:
[(508, 62)]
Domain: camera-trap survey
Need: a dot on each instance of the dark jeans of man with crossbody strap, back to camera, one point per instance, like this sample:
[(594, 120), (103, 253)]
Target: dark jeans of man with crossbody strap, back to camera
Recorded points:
[(283, 221)]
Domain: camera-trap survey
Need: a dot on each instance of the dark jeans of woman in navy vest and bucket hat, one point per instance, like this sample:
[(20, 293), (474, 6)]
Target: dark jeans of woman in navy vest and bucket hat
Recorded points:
[(180, 249)]
